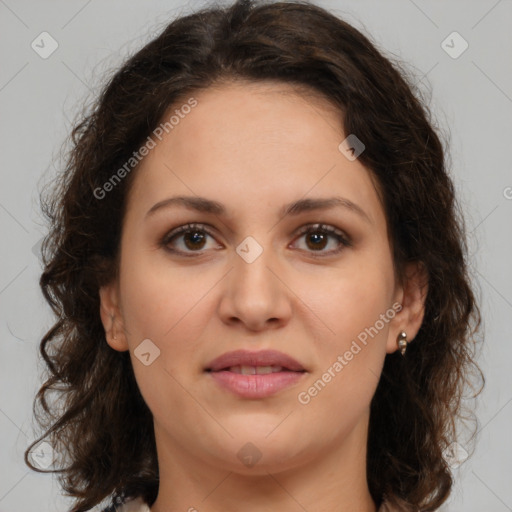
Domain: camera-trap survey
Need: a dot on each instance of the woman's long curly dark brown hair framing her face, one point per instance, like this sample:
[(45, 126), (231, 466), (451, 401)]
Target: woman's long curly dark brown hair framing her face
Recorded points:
[(97, 420)]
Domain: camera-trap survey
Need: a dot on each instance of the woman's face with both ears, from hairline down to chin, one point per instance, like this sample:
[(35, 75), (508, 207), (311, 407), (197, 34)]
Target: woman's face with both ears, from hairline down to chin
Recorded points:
[(252, 273)]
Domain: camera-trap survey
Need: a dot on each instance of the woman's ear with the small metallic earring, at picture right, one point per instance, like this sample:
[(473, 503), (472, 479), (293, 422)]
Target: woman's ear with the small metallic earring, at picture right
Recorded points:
[(411, 295)]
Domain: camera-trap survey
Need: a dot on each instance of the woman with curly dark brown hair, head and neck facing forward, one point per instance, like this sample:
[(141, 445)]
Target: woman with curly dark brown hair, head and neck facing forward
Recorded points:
[(258, 268)]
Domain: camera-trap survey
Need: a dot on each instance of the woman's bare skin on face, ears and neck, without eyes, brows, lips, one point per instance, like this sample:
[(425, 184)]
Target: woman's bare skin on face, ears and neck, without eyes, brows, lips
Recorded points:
[(254, 148)]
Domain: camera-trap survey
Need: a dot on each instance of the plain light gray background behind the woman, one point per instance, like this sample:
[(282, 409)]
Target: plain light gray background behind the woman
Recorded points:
[(471, 100)]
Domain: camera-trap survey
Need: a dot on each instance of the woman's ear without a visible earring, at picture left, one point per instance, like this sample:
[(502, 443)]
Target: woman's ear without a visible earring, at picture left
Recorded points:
[(111, 317)]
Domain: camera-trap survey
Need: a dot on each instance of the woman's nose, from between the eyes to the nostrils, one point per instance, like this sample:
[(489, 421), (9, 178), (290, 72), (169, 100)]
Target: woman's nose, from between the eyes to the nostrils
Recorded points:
[(255, 295)]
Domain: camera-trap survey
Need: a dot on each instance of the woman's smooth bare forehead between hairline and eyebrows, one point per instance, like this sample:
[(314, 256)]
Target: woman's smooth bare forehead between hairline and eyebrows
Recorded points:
[(250, 145)]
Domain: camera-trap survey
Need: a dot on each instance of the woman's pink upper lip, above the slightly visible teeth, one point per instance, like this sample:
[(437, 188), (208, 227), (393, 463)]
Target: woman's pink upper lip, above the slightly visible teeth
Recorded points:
[(252, 363)]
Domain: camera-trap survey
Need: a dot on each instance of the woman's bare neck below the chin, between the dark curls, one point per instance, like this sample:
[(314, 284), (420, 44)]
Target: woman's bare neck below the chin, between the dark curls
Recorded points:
[(334, 481)]
